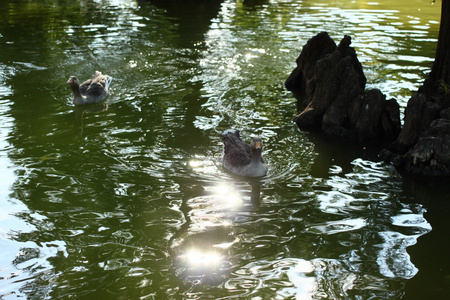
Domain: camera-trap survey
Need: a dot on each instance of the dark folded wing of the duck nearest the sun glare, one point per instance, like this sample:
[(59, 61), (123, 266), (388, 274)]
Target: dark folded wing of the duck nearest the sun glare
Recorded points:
[(236, 152)]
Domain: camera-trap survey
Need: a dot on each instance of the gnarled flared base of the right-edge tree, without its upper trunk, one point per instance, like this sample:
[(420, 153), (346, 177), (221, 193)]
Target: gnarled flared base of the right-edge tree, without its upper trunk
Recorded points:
[(423, 146)]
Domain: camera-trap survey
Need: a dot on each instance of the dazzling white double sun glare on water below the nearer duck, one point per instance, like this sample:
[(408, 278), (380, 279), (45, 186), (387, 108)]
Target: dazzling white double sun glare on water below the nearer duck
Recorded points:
[(201, 249)]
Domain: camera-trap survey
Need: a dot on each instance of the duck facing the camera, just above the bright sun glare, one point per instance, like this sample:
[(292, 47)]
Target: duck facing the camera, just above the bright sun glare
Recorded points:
[(241, 158)]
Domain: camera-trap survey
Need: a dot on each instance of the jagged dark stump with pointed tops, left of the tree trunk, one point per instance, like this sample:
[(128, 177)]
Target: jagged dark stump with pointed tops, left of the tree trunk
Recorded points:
[(329, 85)]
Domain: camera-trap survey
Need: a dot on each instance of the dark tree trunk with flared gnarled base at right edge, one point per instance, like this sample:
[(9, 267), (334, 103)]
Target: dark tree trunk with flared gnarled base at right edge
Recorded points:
[(423, 146)]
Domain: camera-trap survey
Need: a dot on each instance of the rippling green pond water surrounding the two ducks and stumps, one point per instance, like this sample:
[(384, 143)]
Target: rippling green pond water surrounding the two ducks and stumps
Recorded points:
[(128, 199)]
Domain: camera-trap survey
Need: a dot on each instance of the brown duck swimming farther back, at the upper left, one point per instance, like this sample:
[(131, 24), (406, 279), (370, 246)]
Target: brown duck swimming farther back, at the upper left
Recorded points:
[(91, 91)]
